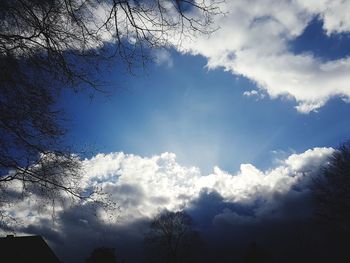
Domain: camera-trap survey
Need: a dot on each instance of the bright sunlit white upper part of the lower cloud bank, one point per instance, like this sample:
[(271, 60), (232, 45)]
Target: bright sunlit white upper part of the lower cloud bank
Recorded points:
[(143, 186)]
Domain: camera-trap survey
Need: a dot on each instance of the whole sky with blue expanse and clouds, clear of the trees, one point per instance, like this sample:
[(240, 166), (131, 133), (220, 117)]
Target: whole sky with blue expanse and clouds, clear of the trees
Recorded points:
[(231, 127)]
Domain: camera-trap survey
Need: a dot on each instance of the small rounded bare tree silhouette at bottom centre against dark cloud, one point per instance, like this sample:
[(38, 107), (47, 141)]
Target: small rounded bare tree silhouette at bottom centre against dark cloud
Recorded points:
[(172, 238)]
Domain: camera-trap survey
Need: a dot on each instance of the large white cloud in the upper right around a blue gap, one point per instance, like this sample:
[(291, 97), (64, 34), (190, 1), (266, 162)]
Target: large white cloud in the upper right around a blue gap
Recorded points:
[(253, 41)]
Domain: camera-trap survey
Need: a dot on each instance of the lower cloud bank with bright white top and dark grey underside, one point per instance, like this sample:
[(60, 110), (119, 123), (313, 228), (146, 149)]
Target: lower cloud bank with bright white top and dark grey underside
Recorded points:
[(144, 186)]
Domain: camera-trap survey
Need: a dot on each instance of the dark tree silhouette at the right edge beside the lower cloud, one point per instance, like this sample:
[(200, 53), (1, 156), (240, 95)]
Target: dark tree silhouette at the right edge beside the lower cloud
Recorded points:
[(332, 204)]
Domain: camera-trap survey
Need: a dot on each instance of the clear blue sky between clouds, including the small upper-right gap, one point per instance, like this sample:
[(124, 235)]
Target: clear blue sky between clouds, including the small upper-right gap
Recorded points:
[(202, 116)]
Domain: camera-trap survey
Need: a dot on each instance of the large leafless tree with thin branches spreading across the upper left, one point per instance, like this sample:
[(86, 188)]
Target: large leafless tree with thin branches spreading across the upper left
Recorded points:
[(49, 45)]
